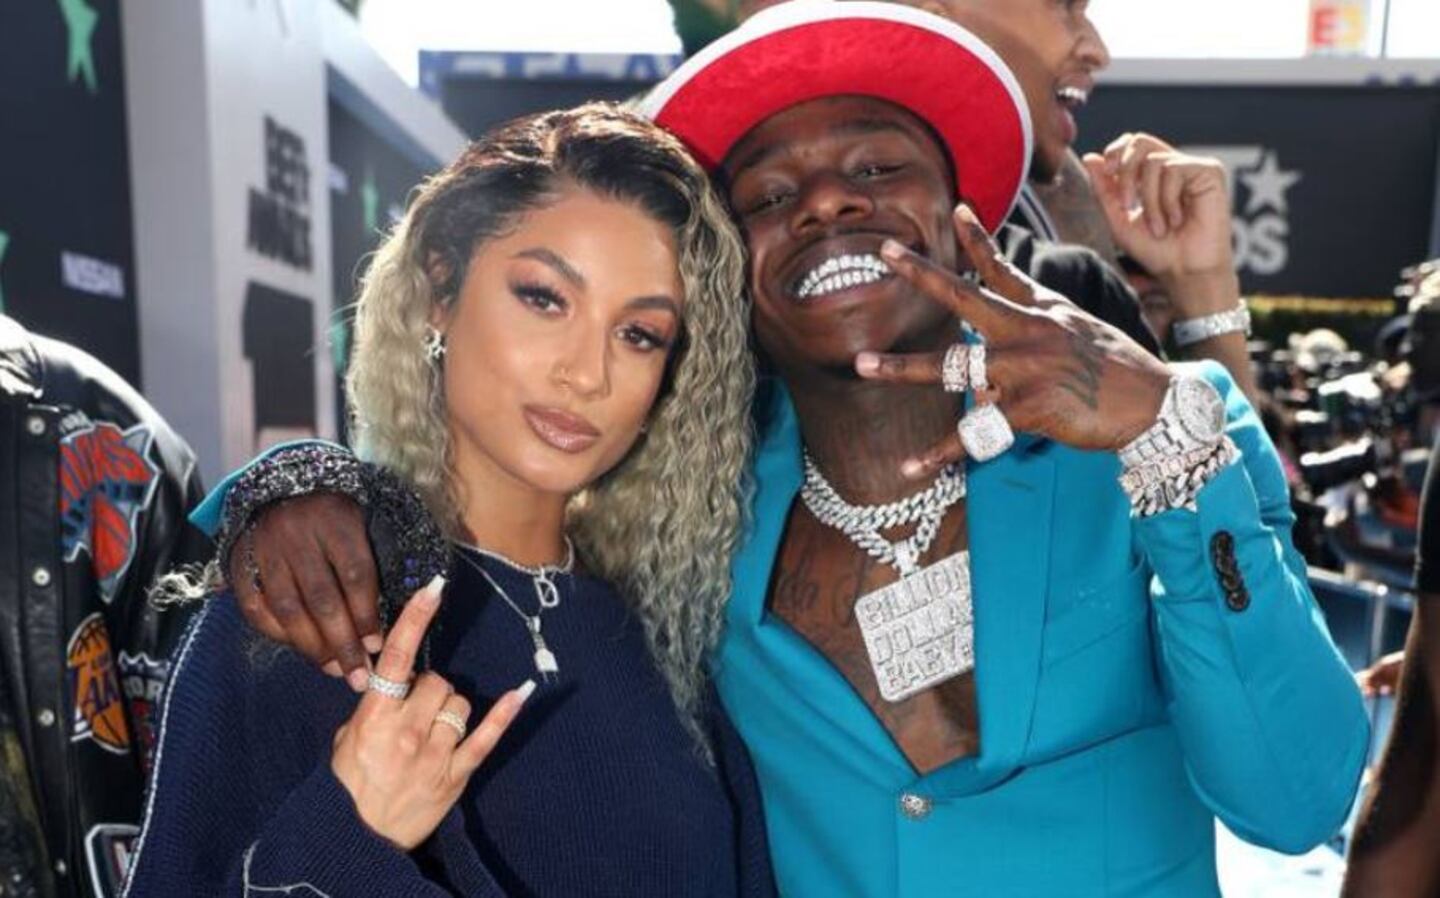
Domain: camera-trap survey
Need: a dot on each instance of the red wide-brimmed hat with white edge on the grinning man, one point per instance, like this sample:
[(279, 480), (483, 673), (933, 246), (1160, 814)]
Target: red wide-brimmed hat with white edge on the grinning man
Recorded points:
[(807, 50)]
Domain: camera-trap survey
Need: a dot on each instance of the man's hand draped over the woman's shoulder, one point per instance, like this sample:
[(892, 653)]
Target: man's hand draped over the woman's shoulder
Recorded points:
[(306, 578)]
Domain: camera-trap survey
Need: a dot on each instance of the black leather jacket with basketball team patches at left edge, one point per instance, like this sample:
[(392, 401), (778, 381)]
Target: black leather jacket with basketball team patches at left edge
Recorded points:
[(94, 493)]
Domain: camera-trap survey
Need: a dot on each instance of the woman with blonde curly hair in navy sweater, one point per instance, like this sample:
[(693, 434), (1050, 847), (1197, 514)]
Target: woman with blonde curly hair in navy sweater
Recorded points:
[(552, 352)]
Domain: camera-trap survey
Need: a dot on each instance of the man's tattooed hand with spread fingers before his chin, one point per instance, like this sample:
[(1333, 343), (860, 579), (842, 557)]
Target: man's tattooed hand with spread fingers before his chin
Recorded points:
[(1053, 369)]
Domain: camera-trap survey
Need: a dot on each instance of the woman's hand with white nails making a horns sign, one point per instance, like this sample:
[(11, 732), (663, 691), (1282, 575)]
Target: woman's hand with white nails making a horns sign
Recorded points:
[(402, 763)]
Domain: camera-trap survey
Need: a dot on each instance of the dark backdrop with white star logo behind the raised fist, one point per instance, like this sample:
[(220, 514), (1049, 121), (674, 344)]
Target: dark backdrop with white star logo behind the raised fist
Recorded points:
[(1334, 186)]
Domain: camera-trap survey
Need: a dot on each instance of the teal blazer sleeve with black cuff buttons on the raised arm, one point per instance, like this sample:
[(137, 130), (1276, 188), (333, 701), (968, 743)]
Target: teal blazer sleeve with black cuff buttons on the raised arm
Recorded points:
[(1271, 720)]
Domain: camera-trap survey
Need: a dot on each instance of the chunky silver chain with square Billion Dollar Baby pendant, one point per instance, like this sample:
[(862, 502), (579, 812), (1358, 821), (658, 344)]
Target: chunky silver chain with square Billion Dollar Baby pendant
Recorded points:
[(921, 630)]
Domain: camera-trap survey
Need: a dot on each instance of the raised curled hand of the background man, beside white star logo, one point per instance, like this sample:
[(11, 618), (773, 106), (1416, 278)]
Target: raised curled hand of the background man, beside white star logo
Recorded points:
[(1170, 211)]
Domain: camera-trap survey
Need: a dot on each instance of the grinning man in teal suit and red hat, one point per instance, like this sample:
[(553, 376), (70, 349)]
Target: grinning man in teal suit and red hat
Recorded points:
[(1043, 671)]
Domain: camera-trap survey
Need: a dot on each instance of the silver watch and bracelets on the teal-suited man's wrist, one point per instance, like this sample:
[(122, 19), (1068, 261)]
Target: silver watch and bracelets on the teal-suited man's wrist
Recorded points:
[(1169, 464)]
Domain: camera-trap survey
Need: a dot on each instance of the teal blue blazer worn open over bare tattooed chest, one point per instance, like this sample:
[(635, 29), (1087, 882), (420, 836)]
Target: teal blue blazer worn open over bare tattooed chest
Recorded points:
[(1124, 703)]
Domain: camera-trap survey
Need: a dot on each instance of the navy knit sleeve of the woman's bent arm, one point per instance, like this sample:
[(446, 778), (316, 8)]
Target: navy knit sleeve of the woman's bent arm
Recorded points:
[(241, 807)]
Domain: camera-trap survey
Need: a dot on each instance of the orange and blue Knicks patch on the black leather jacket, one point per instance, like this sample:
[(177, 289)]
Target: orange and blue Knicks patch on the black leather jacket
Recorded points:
[(107, 480)]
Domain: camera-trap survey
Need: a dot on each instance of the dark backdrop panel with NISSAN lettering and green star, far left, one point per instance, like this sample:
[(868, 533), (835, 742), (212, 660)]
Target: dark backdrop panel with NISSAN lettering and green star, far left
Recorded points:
[(67, 251)]
